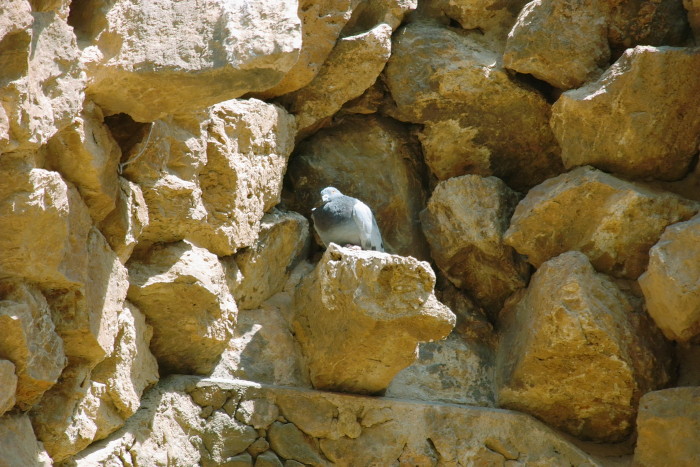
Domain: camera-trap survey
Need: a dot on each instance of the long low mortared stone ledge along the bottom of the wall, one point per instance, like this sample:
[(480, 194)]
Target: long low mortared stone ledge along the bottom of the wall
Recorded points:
[(325, 428)]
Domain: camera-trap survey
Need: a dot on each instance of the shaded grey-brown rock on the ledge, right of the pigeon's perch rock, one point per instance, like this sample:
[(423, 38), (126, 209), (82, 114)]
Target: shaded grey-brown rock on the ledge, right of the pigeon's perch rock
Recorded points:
[(453, 370)]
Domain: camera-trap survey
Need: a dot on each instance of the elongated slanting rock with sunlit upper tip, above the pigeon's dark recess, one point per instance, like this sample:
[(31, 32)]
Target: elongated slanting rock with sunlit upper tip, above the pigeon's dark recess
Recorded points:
[(351, 68)]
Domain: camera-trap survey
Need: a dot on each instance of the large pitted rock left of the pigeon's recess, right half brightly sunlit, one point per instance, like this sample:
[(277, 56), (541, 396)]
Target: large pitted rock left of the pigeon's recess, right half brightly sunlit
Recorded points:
[(209, 177)]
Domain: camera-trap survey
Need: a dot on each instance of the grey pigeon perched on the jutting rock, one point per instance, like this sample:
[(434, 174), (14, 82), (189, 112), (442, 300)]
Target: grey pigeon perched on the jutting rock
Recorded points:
[(346, 221)]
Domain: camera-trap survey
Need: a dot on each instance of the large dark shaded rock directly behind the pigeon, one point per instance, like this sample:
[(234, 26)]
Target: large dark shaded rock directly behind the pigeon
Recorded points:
[(372, 159)]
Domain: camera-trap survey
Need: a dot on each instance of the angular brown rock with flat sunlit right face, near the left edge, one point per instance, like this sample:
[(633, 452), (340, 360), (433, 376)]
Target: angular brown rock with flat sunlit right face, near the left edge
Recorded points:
[(86, 317)]
